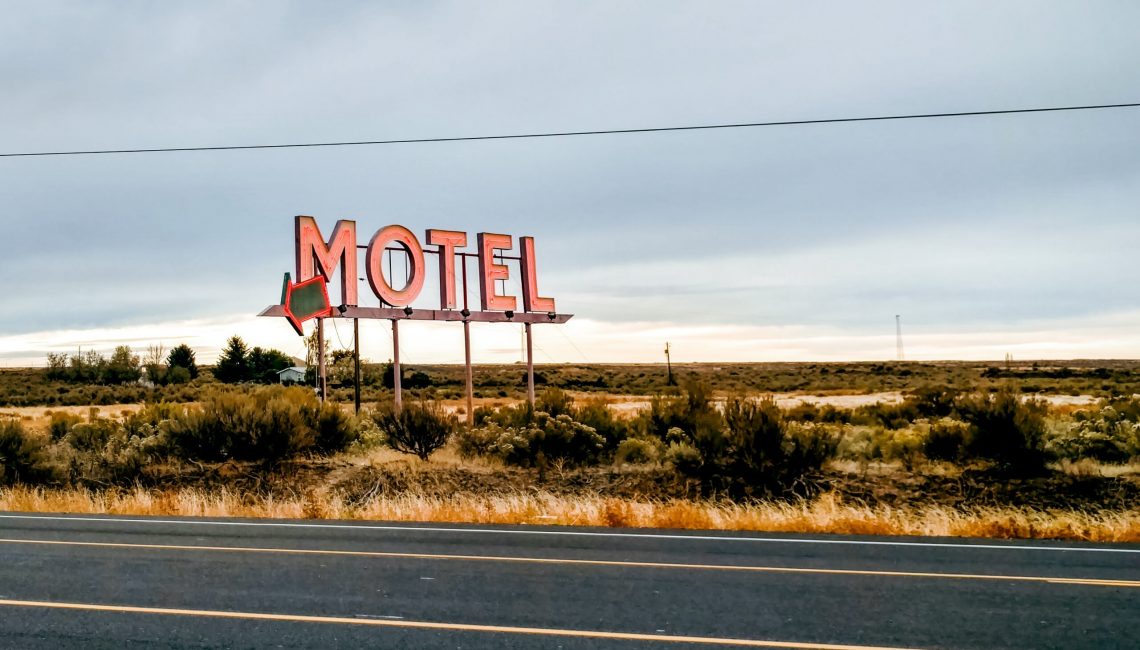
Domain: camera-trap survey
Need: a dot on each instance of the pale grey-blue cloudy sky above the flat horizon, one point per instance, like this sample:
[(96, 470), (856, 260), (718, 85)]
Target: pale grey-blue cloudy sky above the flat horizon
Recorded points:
[(989, 235)]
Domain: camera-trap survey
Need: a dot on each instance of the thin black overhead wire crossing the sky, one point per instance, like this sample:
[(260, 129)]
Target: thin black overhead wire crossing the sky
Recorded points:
[(569, 134)]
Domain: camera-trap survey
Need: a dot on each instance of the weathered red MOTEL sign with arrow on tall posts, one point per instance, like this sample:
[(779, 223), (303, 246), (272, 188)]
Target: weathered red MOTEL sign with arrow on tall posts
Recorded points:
[(319, 259)]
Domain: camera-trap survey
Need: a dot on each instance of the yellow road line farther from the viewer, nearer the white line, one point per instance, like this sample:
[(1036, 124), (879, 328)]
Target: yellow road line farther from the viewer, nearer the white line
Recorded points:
[(622, 564)]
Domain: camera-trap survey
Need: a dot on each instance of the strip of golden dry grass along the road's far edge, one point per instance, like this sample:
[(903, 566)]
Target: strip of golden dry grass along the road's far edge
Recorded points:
[(826, 515)]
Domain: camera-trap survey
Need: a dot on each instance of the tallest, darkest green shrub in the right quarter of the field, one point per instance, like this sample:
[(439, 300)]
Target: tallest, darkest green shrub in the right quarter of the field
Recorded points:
[(1006, 430)]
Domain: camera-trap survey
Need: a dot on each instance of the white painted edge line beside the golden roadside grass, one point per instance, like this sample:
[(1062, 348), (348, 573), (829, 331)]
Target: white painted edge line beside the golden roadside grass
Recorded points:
[(567, 534)]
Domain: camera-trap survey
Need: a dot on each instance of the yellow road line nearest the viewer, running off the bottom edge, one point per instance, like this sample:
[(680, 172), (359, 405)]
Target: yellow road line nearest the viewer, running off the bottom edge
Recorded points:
[(446, 627)]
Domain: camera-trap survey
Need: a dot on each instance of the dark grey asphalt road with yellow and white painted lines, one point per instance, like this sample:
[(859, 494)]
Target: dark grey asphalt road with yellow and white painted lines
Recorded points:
[(91, 582)]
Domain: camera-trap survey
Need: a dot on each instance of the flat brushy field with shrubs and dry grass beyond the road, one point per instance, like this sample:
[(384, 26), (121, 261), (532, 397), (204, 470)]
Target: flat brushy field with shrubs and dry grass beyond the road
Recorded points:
[(1032, 450)]
